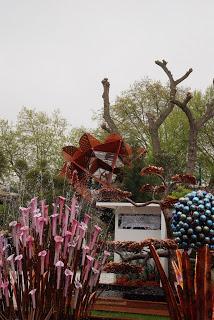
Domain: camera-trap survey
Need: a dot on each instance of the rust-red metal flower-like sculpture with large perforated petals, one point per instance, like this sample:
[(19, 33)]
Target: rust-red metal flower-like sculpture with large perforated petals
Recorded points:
[(93, 159)]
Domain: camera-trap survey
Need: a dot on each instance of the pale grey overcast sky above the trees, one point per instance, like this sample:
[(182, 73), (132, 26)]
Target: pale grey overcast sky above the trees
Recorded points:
[(54, 53)]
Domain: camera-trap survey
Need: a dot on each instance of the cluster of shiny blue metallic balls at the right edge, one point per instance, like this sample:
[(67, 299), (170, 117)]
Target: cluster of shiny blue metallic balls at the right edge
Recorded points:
[(192, 220)]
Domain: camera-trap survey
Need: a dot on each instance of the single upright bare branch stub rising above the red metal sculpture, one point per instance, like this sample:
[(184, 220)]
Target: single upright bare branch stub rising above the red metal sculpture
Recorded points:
[(106, 114)]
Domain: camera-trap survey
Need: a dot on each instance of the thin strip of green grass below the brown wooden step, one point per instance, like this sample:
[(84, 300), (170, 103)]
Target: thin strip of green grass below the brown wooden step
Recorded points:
[(115, 315)]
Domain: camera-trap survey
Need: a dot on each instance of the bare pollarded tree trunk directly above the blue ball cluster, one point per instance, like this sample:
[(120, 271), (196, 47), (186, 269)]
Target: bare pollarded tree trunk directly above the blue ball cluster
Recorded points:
[(195, 125)]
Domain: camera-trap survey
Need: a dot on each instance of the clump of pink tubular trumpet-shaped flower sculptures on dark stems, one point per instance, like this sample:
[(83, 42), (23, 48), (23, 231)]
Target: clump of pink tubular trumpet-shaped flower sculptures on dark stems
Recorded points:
[(50, 265)]
